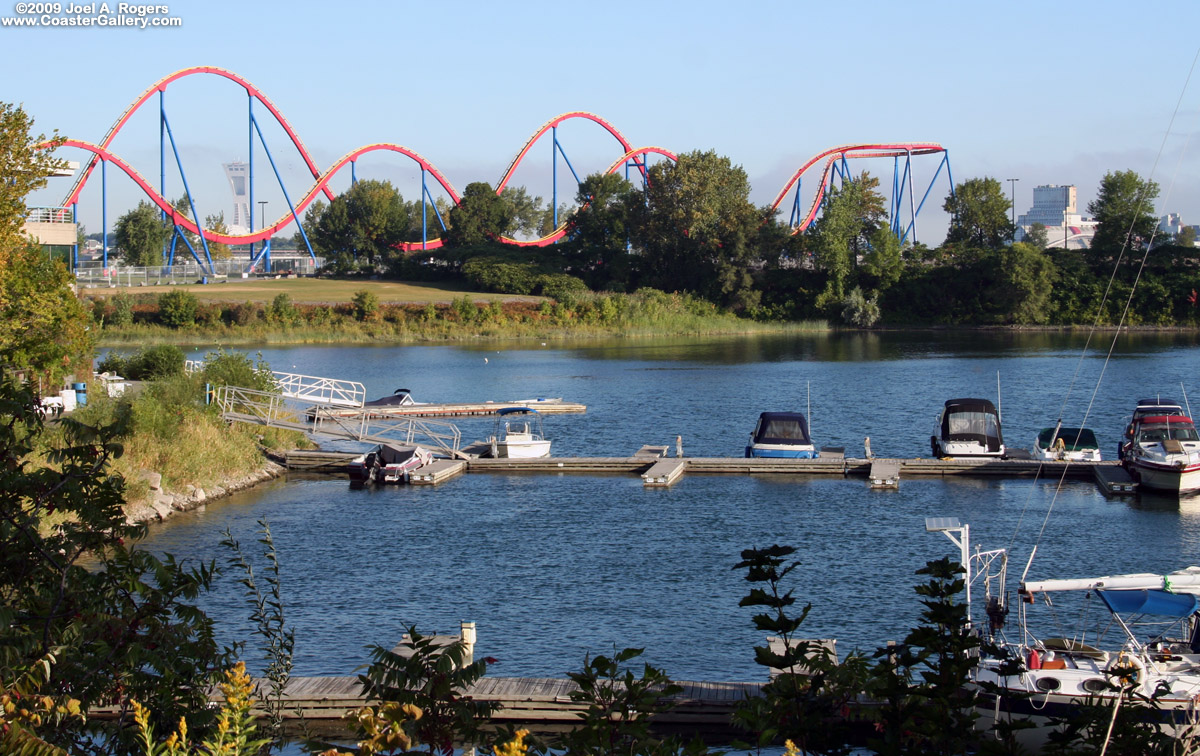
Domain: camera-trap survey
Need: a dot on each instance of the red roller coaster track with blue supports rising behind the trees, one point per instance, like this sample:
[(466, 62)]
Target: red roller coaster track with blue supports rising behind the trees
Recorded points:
[(827, 167)]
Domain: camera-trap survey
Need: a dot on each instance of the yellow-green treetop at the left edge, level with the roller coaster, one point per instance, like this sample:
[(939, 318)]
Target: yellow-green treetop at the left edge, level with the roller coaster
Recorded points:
[(23, 170)]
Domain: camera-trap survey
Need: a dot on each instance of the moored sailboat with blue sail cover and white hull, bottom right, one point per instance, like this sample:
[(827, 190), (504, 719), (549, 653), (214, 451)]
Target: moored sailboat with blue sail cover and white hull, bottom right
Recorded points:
[(1137, 635)]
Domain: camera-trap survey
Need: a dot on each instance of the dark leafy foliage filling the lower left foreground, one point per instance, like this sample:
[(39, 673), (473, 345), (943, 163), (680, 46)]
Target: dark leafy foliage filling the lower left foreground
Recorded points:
[(118, 620)]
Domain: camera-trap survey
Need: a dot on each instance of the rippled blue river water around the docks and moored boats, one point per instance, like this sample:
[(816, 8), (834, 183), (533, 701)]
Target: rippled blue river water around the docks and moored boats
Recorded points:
[(557, 567)]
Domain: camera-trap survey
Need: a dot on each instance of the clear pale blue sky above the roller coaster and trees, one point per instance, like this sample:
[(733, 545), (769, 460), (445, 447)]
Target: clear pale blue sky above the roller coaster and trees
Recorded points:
[(1048, 92)]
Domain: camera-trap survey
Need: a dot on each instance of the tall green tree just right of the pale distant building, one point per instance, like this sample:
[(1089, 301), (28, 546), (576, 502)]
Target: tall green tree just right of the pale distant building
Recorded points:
[(1125, 213)]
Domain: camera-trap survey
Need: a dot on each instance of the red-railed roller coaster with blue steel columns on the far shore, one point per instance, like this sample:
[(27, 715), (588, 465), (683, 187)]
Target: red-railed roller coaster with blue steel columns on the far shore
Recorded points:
[(634, 161)]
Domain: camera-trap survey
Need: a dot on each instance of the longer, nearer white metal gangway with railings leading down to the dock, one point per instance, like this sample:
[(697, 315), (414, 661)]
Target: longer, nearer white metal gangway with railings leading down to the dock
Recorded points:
[(273, 410)]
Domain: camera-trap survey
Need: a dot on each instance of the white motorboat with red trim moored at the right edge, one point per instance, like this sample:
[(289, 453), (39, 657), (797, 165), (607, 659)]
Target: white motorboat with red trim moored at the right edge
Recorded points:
[(1165, 454)]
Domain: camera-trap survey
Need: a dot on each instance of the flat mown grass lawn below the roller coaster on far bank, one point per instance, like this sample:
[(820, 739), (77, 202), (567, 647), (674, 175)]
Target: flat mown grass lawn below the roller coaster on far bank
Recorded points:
[(313, 291)]
